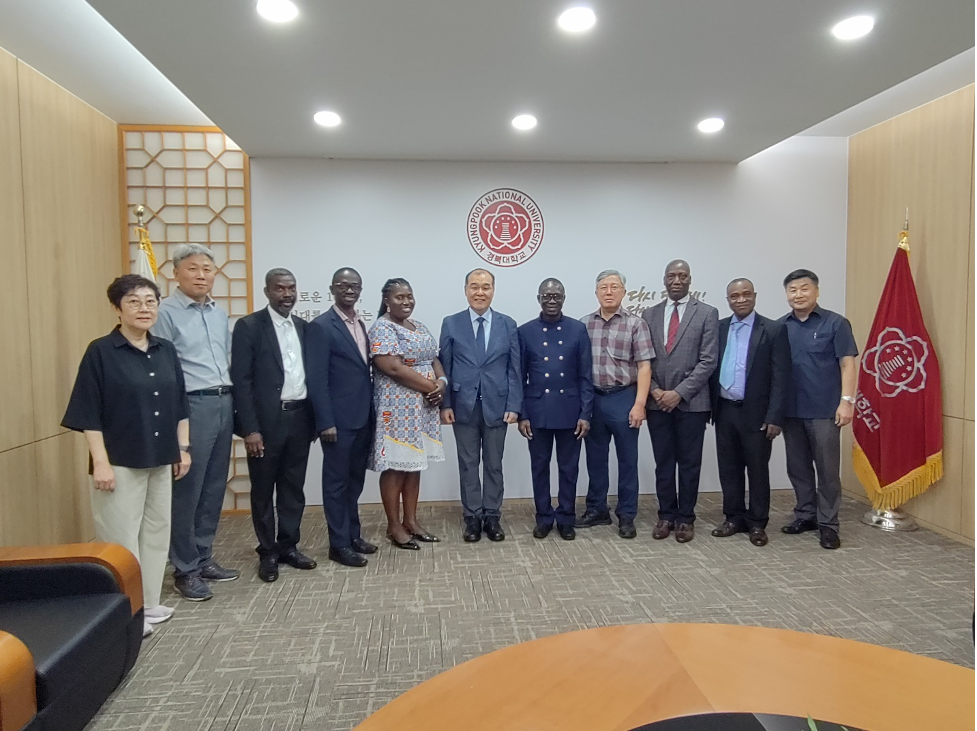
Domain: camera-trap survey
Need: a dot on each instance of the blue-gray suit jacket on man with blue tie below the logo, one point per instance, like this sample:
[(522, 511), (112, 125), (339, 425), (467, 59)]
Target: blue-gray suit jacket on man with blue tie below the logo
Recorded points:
[(499, 376)]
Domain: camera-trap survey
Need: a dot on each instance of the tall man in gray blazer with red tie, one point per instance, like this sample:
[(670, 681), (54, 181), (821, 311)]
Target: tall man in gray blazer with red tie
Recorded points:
[(685, 336)]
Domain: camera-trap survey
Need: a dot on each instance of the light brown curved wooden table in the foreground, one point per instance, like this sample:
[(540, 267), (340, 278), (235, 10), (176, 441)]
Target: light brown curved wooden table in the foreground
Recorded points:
[(619, 678)]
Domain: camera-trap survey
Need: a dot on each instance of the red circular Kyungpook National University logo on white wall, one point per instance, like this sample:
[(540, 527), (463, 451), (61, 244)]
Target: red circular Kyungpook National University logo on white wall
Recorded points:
[(505, 227)]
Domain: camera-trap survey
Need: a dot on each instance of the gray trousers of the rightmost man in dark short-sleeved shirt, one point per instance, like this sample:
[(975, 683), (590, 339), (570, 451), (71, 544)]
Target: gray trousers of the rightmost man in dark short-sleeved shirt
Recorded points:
[(814, 468)]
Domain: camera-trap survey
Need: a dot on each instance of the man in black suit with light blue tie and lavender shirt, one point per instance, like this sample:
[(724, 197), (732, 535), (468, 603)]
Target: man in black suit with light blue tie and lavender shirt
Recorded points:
[(749, 391)]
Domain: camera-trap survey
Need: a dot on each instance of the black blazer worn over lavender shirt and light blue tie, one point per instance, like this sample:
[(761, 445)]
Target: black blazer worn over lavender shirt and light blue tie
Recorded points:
[(767, 372)]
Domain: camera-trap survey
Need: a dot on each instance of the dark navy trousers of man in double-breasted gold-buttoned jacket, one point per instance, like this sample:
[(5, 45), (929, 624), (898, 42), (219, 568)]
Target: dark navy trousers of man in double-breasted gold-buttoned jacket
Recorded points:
[(568, 464)]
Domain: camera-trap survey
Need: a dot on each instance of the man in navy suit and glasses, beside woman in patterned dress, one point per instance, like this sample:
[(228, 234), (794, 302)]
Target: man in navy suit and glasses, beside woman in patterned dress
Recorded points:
[(340, 382)]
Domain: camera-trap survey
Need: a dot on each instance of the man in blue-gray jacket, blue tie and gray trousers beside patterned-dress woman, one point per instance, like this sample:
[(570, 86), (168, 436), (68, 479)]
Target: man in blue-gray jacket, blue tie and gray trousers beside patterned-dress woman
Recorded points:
[(480, 355)]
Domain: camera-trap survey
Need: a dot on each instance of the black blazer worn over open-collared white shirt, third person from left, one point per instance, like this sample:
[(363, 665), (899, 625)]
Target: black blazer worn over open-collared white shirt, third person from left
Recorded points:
[(257, 375)]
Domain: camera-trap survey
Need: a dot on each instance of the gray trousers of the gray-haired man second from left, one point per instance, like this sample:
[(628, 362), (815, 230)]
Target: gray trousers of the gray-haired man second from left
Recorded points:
[(198, 497)]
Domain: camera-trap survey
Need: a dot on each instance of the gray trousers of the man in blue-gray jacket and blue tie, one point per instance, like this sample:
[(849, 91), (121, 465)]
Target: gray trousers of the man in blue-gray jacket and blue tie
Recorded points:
[(477, 442)]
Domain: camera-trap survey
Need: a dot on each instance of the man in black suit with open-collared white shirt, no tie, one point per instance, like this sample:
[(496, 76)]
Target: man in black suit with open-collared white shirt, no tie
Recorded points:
[(273, 416)]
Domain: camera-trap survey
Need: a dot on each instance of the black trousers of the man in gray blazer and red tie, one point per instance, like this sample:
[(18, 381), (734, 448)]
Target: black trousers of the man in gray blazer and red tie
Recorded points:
[(676, 439)]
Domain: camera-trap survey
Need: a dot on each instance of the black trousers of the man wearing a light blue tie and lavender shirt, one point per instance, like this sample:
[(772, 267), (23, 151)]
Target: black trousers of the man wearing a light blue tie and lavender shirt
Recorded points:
[(742, 452)]
